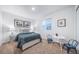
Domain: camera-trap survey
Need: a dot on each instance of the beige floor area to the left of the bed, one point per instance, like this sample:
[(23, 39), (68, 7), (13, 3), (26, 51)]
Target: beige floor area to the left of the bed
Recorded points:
[(9, 48)]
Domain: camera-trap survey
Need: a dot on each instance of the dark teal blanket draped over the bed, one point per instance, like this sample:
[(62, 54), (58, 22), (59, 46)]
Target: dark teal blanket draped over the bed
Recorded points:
[(23, 38)]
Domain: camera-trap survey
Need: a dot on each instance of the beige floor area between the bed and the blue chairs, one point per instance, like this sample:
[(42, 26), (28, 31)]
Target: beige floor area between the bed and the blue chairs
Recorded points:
[(45, 48)]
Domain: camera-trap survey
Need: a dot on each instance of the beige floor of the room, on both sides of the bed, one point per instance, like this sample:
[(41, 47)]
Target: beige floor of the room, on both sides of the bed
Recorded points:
[(40, 48)]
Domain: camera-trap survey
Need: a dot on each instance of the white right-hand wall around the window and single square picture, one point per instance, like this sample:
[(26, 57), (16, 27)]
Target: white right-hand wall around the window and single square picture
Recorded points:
[(69, 30)]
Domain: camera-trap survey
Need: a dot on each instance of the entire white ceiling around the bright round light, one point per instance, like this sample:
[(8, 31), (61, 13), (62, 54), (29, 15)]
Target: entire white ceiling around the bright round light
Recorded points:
[(40, 10)]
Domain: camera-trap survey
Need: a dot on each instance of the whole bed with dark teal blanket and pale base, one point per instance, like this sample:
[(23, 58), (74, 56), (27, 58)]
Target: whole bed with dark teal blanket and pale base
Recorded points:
[(26, 40)]
